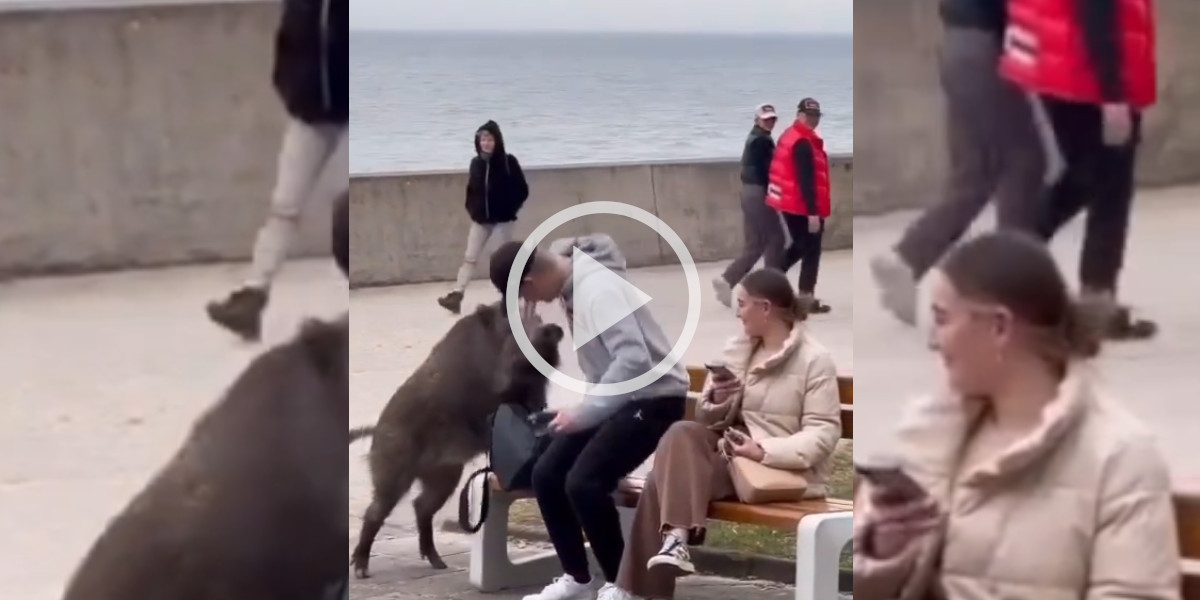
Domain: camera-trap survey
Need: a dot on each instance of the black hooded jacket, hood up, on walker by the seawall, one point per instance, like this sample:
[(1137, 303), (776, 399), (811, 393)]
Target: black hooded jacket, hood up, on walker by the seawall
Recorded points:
[(496, 189)]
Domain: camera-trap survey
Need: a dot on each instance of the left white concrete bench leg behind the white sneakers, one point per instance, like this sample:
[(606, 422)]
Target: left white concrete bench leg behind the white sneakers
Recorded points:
[(491, 567)]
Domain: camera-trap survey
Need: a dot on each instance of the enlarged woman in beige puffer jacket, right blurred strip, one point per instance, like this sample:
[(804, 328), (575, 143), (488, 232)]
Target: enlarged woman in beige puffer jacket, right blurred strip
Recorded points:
[(1042, 488)]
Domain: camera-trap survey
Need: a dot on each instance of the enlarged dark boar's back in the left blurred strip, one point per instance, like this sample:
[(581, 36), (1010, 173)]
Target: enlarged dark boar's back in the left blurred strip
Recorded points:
[(254, 506)]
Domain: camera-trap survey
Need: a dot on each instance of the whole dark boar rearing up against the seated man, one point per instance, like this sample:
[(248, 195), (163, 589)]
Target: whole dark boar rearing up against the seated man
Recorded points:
[(439, 421)]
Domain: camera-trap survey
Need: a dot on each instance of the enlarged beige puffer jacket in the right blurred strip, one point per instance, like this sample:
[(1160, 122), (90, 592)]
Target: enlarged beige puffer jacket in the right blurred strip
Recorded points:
[(1078, 511)]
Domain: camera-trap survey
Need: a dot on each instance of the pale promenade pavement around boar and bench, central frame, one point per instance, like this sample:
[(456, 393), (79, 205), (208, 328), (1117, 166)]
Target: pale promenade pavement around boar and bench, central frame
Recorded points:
[(392, 332)]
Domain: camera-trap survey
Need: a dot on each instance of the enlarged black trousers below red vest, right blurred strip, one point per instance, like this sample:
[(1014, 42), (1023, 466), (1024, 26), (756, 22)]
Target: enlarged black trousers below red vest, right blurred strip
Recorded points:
[(1097, 178)]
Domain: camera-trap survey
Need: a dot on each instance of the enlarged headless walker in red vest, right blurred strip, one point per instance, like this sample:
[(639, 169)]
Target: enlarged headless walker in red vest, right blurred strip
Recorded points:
[(1093, 65)]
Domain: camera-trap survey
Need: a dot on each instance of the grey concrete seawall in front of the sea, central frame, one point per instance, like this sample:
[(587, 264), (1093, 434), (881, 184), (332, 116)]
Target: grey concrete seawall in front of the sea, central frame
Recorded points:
[(410, 229)]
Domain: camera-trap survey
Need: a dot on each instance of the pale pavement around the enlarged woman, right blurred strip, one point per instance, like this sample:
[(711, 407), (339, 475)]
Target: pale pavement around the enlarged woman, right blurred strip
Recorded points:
[(1157, 379)]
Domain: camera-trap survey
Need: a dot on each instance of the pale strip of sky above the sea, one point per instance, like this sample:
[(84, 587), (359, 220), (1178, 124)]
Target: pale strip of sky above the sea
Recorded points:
[(691, 16)]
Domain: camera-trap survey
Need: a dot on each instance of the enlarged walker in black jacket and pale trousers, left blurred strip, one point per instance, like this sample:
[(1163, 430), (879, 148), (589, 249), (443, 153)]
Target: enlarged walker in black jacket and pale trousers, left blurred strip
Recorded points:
[(311, 79)]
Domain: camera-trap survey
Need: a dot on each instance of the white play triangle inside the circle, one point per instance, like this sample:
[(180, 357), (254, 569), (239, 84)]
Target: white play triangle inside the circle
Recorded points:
[(603, 298)]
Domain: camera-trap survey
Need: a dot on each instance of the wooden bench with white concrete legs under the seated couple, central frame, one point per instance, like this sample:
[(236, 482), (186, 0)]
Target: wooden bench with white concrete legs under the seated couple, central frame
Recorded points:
[(824, 527)]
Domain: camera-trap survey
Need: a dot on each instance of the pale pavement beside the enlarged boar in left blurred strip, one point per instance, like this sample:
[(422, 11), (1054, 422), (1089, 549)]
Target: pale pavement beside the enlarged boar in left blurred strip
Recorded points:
[(101, 379)]
